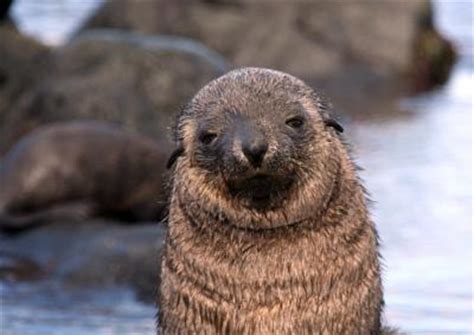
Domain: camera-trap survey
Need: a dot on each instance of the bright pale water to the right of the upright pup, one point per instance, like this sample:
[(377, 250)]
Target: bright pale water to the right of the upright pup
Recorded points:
[(418, 169)]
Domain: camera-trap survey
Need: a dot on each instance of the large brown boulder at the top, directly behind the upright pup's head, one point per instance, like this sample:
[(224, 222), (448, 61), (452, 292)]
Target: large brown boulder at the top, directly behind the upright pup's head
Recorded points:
[(356, 51)]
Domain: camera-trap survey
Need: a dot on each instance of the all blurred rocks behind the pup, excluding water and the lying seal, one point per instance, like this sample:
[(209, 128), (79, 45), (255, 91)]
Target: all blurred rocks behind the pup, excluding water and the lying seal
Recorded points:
[(134, 64)]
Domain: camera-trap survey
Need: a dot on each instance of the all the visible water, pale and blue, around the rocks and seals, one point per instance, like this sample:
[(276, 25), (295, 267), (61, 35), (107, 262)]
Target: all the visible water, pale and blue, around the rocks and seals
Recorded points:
[(417, 168)]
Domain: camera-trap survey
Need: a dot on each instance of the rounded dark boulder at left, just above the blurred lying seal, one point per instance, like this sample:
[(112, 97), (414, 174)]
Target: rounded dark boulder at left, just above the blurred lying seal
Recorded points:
[(138, 82)]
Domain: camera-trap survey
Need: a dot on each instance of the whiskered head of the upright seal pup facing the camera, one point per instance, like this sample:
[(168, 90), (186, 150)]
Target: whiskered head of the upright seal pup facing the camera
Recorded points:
[(257, 139)]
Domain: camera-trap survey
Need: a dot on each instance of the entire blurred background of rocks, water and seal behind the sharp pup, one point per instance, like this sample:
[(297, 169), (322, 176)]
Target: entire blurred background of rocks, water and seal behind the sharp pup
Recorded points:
[(400, 74)]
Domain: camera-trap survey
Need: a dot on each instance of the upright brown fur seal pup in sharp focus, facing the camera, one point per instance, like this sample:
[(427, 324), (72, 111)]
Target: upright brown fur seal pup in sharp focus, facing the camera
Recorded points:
[(269, 231)]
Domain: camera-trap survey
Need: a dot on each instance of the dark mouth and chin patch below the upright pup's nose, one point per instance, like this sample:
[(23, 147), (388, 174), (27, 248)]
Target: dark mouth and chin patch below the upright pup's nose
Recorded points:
[(260, 191)]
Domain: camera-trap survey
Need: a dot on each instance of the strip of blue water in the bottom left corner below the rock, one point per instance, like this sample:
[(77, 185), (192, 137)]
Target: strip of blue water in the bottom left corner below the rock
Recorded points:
[(50, 309)]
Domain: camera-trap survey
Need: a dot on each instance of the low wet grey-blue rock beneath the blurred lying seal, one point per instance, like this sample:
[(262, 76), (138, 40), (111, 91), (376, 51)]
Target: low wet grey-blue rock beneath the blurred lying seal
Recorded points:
[(93, 254)]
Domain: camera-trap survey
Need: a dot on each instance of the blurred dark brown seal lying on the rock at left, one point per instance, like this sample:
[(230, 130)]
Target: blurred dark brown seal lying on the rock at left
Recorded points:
[(83, 167)]
